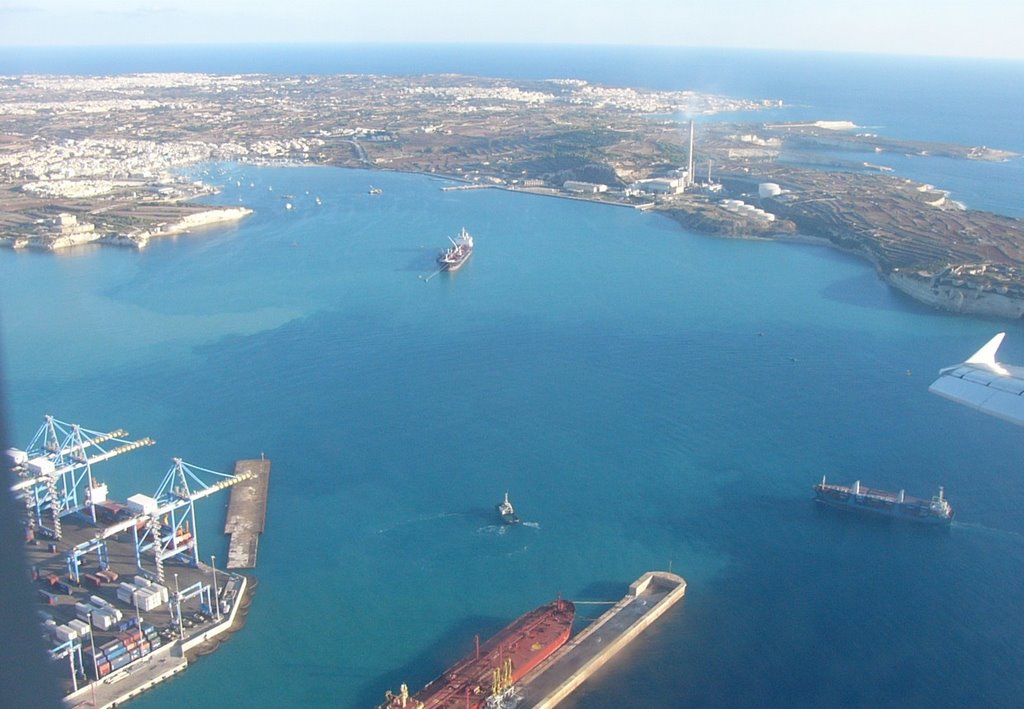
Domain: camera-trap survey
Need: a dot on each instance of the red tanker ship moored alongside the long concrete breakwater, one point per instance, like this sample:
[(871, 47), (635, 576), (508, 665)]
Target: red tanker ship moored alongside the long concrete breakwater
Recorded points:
[(496, 665)]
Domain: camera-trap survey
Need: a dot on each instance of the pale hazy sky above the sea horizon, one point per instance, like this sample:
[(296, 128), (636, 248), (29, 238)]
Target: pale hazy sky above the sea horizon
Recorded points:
[(940, 28)]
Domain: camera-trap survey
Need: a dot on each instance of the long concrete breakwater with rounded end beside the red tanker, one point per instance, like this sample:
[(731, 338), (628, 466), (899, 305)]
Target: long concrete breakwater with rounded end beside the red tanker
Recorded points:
[(649, 598)]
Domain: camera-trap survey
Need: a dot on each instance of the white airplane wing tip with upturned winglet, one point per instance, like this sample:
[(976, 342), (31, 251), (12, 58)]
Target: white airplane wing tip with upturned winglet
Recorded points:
[(986, 385)]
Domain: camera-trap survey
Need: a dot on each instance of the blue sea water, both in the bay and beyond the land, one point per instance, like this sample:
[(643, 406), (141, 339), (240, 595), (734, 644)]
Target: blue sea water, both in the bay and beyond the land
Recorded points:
[(650, 397)]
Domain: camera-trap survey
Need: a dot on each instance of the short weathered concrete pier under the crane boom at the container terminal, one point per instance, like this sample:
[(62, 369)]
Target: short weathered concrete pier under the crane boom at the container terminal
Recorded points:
[(247, 514)]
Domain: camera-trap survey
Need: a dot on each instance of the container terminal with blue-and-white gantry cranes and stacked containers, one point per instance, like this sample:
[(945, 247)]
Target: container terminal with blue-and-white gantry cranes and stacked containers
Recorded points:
[(124, 601)]
